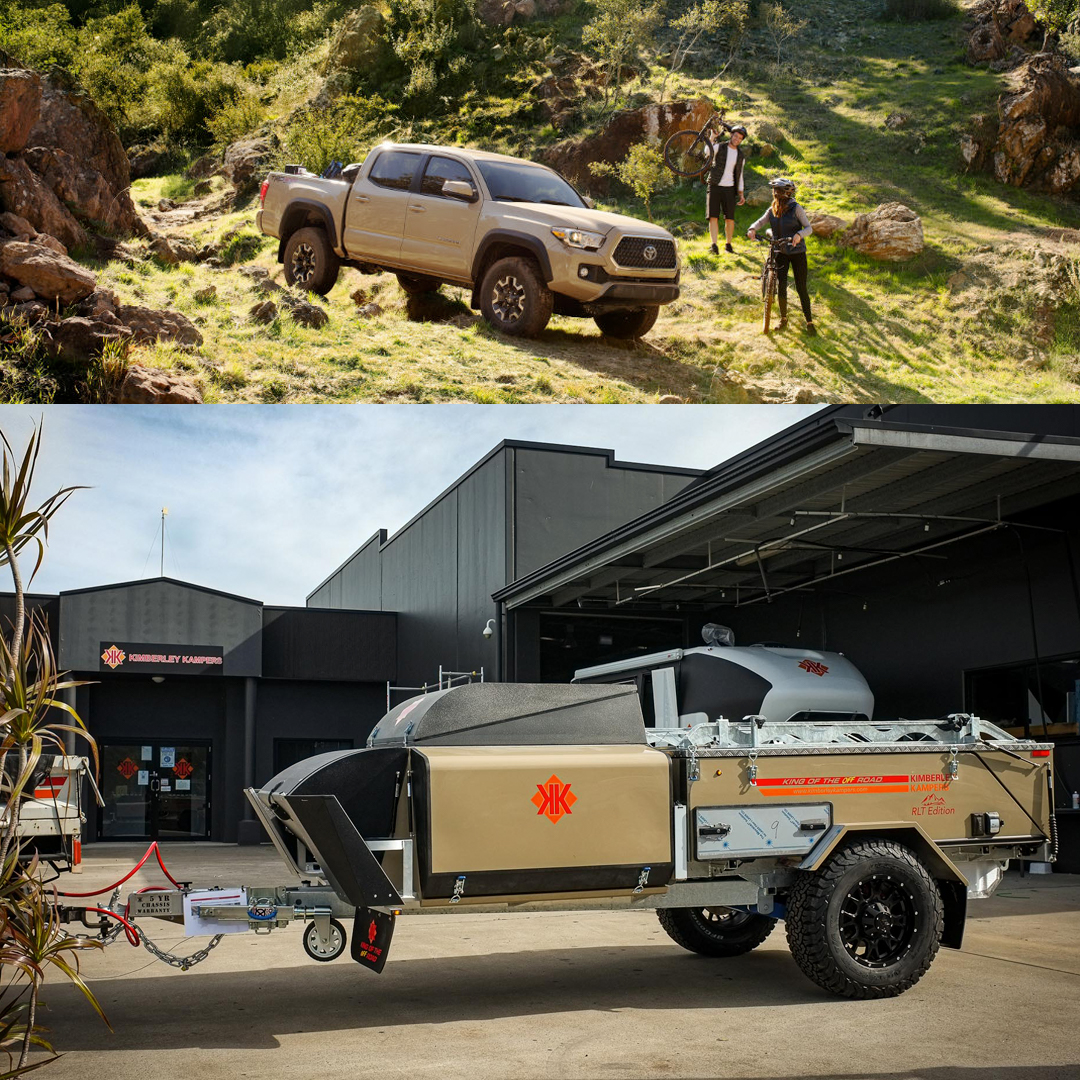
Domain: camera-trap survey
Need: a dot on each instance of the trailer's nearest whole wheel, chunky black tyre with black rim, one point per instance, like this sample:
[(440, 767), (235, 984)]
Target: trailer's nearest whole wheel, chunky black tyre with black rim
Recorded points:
[(869, 924)]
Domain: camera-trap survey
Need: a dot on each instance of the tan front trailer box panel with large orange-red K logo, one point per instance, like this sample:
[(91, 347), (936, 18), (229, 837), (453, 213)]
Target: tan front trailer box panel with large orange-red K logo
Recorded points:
[(510, 808)]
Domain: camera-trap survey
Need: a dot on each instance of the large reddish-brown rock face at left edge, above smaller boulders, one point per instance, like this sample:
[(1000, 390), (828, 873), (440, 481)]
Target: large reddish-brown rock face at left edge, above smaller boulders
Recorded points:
[(65, 163)]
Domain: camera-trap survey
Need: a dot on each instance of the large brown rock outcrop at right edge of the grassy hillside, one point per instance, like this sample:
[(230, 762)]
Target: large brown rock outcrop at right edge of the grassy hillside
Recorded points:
[(1036, 141)]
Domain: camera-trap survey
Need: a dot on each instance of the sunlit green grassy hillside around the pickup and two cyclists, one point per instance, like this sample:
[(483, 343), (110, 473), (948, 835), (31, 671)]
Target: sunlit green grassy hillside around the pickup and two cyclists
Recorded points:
[(991, 312)]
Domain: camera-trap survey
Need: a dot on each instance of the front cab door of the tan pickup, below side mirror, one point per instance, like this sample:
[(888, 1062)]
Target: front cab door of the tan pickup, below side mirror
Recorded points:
[(440, 227)]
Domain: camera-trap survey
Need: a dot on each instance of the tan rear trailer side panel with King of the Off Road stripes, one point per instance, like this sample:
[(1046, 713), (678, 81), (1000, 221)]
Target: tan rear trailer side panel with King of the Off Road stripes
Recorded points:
[(888, 786)]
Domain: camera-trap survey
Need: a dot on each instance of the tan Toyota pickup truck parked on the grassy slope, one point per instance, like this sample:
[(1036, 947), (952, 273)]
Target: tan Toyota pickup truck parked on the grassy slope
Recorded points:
[(515, 233)]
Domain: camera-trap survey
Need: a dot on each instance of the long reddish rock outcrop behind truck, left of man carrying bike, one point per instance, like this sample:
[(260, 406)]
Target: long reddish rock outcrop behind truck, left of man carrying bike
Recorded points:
[(653, 124)]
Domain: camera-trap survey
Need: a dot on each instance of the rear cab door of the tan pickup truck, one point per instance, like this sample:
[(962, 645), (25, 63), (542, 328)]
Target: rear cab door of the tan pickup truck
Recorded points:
[(375, 221)]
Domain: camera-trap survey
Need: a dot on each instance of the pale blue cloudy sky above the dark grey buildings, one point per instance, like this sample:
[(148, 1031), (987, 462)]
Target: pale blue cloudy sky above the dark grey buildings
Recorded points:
[(265, 502)]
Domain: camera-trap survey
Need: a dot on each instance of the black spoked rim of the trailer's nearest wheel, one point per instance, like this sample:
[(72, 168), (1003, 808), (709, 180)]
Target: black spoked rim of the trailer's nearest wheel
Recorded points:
[(879, 922)]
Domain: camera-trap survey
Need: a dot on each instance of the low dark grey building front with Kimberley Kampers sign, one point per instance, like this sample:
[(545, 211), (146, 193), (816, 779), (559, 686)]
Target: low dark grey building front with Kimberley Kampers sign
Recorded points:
[(193, 694)]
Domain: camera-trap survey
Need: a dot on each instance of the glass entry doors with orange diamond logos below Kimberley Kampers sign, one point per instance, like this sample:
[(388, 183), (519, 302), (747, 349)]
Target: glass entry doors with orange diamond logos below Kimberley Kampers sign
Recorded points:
[(157, 790)]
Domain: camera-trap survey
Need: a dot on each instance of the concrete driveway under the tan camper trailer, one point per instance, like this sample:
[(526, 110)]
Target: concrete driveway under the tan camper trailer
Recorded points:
[(564, 995)]
